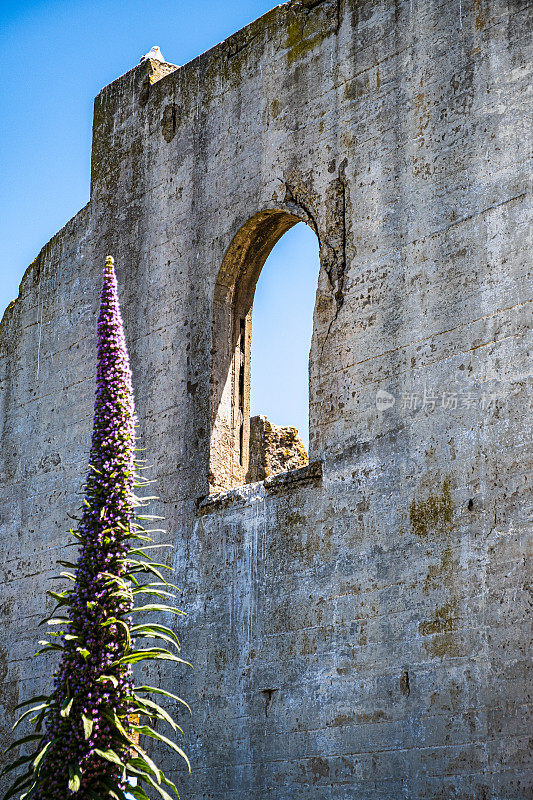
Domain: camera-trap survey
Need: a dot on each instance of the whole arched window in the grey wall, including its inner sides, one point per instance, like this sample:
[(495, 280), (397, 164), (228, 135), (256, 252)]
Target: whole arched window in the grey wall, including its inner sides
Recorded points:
[(244, 450)]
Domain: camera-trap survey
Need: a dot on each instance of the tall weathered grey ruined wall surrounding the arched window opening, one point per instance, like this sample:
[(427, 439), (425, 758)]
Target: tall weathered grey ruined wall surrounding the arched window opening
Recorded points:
[(358, 626)]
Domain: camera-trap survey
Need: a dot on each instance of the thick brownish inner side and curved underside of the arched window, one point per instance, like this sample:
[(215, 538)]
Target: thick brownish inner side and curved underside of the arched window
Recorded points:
[(232, 327)]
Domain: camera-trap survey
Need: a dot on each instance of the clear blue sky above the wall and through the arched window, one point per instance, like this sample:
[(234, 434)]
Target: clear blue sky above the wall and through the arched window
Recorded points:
[(57, 55)]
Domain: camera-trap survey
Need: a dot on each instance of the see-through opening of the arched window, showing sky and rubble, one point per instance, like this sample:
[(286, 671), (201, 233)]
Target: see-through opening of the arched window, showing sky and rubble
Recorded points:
[(282, 327)]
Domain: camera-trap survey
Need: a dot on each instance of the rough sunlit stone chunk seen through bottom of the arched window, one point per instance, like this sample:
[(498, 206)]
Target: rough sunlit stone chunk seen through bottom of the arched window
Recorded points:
[(273, 449)]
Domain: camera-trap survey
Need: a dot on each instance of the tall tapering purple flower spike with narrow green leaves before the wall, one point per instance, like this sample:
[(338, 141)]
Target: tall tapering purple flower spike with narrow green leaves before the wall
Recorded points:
[(86, 740)]
